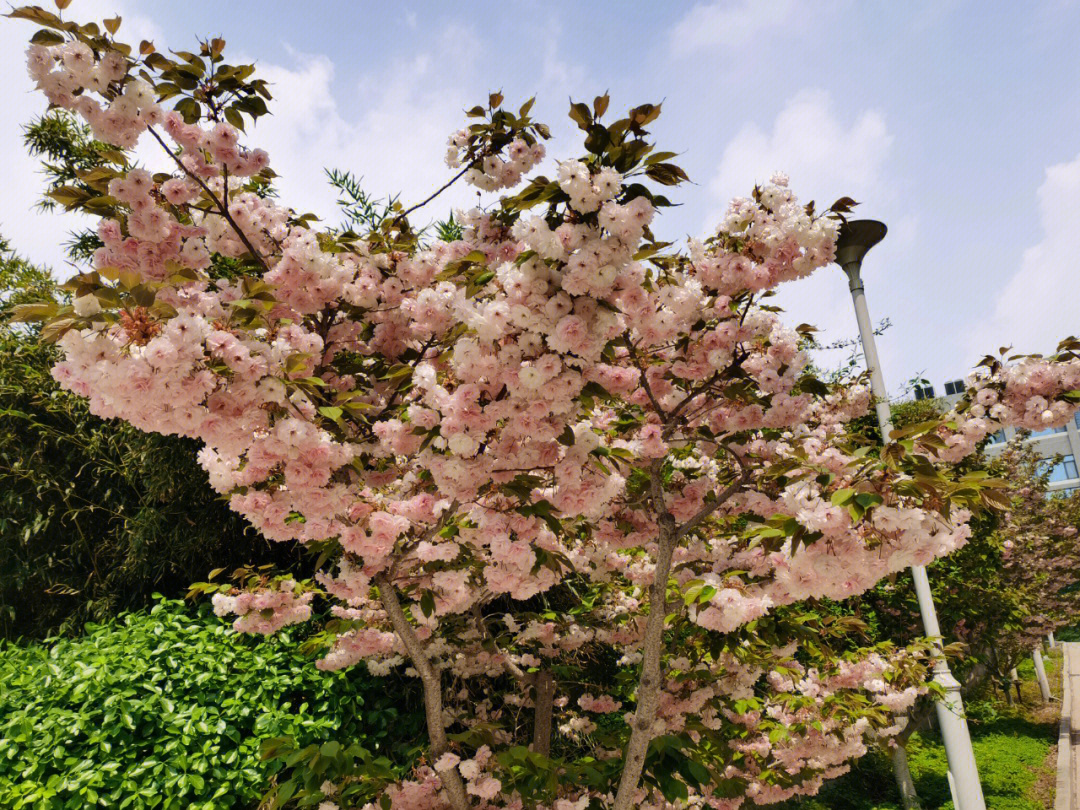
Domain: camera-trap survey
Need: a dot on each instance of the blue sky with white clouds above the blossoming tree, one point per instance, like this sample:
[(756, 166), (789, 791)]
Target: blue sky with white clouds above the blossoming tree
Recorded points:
[(957, 124)]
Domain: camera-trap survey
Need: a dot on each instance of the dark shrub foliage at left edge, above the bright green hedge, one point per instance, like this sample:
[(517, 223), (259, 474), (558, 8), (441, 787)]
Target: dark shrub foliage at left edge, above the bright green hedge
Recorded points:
[(94, 516)]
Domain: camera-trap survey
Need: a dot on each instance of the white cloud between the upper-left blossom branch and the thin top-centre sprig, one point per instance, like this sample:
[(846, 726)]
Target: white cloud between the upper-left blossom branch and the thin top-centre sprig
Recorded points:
[(391, 130)]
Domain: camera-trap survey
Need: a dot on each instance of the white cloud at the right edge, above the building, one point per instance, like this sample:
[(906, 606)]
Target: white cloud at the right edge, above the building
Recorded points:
[(1038, 305)]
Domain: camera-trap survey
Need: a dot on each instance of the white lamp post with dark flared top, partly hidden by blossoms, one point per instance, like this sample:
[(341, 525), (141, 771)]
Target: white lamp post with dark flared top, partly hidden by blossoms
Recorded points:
[(856, 239)]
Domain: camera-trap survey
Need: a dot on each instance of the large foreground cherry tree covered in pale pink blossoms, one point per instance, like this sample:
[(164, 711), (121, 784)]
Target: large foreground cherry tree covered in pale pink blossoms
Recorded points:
[(578, 481)]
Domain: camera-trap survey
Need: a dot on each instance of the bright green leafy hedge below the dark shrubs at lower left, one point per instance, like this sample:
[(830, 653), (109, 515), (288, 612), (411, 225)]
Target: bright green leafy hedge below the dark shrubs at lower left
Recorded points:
[(168, 709)]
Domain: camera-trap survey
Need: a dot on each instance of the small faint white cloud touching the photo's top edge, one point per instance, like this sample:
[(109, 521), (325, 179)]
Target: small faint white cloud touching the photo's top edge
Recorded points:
[(727, 23)]
